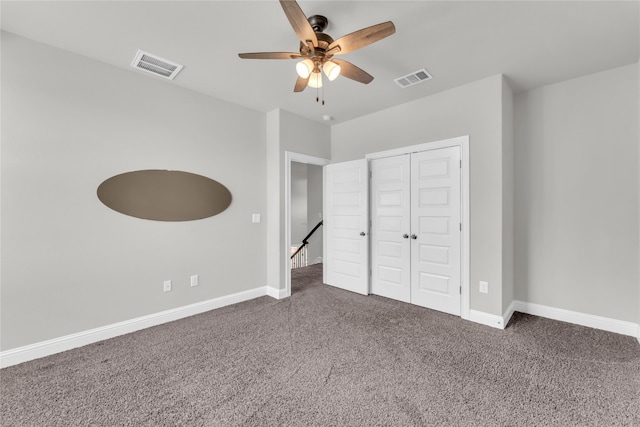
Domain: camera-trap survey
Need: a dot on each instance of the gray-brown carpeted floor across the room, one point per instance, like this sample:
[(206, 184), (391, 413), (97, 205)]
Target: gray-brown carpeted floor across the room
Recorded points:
[(327, 357)]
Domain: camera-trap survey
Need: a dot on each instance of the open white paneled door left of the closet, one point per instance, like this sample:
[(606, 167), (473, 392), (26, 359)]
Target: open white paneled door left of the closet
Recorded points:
[(346, 231)]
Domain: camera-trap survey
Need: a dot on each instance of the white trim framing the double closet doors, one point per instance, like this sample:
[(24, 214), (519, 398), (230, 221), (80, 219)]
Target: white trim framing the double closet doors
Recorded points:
[(463, 143)]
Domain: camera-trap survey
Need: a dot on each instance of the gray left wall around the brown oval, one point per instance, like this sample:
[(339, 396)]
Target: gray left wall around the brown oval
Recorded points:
[(69, 263)]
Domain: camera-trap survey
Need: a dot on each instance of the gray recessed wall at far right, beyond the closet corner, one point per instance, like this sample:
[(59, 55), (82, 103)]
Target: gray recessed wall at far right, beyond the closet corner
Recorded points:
[(577, 194)]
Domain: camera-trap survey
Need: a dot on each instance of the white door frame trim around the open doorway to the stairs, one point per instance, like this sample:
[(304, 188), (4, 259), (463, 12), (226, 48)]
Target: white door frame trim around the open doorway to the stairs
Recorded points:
[(290, 156)]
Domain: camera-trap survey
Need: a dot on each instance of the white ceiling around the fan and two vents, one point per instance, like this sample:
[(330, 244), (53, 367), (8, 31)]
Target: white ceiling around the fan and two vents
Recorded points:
[(533, 43)]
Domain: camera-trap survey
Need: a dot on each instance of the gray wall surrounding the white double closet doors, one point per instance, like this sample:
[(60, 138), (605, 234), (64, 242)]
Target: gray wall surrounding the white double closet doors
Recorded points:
[(475, 110)]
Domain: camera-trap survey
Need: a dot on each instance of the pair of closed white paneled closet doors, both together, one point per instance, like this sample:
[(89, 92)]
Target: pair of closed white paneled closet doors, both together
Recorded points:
[(415, 241)]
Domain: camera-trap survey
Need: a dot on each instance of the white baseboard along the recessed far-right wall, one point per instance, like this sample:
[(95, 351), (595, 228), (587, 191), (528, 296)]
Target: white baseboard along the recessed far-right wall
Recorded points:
[(590, 320)]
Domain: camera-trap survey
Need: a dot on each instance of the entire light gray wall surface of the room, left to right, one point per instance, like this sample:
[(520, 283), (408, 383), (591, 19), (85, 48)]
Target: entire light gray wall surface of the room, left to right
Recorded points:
[(70, 264)]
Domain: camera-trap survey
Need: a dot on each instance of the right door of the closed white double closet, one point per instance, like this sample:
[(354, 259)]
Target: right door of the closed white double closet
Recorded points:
[(435, 224)]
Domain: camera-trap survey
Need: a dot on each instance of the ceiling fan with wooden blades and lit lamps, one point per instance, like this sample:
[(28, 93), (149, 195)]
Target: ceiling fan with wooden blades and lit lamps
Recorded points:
[(317, 49)]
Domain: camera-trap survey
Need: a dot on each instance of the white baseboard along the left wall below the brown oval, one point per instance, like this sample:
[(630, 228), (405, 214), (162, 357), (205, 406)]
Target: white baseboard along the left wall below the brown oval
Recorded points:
[(68, 342)]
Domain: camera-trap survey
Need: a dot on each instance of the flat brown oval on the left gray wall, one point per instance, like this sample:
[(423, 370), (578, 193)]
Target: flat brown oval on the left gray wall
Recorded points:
[(164, 195)]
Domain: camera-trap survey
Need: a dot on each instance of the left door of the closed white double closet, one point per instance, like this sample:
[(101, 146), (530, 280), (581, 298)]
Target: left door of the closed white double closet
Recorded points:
[(390, 227)]
